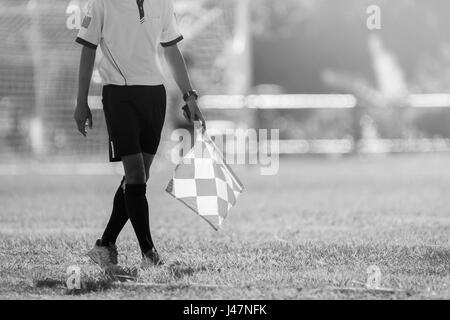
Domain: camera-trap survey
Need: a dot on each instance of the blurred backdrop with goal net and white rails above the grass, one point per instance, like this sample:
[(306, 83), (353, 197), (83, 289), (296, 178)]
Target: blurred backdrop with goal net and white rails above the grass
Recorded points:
[(311, 68)]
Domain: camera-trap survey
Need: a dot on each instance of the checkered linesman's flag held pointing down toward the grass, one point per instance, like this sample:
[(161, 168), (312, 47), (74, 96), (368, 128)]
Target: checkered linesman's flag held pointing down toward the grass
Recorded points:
[(205, 183)]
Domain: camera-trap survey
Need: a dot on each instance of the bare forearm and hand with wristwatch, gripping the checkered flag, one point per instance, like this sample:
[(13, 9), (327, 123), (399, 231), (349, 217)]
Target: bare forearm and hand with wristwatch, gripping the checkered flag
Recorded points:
[(176, 62)]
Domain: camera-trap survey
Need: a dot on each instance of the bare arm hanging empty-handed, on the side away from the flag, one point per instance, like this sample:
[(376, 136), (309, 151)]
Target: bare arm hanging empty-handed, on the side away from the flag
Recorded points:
[(82, 111)]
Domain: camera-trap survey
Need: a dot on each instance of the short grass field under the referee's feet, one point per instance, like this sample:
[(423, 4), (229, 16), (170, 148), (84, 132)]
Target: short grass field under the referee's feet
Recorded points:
[(308, 233)]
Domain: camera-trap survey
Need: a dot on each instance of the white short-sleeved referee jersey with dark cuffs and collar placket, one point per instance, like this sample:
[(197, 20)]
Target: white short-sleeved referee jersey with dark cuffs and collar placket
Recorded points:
[(129, 33)]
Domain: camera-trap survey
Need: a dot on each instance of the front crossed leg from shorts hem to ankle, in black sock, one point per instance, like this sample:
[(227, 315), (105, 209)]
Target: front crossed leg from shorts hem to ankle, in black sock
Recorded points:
[(136, 200)]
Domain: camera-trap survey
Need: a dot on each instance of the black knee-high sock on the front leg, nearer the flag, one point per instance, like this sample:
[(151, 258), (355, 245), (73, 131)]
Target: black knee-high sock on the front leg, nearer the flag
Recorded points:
[(137, 208)]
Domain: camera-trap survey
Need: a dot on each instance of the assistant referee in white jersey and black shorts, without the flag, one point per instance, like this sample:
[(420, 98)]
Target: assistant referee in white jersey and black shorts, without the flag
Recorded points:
[(134, 102)]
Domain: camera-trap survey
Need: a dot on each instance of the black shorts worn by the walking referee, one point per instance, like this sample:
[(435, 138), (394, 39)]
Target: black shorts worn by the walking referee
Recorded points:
[(134, 118)]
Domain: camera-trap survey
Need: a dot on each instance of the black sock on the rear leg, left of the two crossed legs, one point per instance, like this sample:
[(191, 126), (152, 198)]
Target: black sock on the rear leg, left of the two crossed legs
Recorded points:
[(118, 219)]
